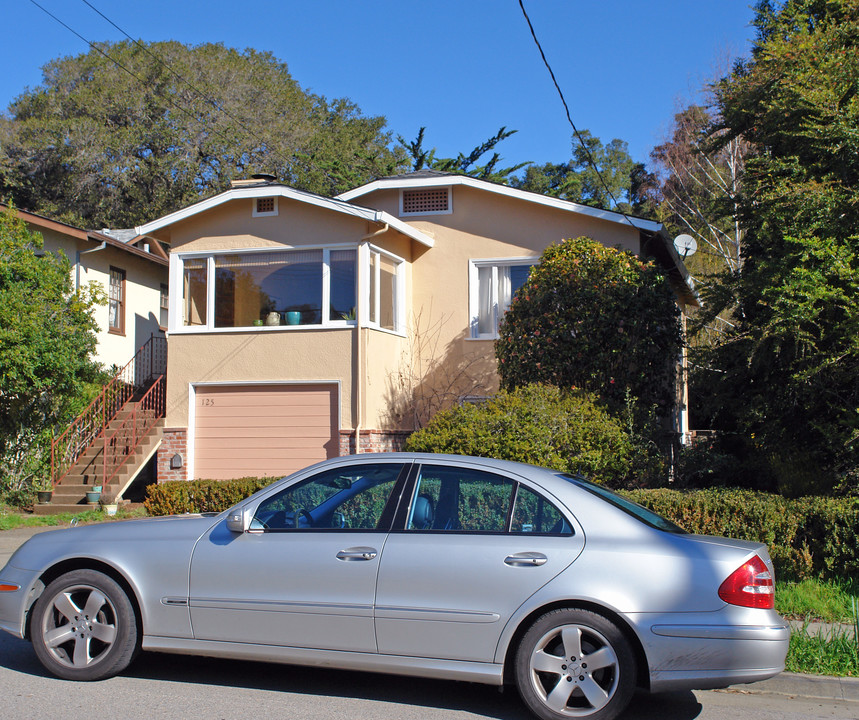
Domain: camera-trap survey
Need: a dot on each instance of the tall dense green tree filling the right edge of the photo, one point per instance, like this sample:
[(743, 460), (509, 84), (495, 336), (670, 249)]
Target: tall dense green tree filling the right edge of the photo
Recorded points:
[(785, 378)]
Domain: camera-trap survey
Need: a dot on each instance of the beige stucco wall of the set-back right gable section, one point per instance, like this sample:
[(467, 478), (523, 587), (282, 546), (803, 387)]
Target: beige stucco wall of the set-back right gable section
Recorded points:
[(483, 225)]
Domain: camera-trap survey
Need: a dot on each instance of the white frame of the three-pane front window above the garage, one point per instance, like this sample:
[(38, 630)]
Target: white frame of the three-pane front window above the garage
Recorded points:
[(176, 314)]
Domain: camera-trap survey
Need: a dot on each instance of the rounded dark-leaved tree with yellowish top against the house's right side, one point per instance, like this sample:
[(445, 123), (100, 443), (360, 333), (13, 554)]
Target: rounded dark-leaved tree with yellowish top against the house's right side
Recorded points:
[(594, 318)]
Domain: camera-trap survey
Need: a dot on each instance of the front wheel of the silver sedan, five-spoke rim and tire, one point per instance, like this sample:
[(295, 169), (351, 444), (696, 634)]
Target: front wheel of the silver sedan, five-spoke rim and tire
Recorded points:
[(84, 627)]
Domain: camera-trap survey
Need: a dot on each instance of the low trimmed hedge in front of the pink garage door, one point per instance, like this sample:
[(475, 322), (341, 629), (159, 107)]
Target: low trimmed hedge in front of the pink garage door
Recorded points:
[(175, 497)]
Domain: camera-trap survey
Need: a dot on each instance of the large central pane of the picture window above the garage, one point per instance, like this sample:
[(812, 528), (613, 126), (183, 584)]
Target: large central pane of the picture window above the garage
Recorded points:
[(282, 288)]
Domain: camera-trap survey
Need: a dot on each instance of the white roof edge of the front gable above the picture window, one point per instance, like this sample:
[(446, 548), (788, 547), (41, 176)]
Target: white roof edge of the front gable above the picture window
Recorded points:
[(272, 189)]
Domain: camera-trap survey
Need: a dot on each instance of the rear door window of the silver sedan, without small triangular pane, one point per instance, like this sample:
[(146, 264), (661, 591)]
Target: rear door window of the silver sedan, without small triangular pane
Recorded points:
[(460, 500)]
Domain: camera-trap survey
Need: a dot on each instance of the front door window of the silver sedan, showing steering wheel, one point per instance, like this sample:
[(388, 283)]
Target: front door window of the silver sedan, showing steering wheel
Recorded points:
[(347, 498)]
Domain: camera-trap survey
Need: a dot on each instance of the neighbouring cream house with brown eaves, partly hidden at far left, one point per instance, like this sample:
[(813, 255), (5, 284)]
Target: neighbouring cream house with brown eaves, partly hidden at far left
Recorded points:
[(133, 278)]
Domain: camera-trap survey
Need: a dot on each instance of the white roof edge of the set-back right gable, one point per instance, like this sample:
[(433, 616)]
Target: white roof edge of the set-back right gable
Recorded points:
[(434, 178)]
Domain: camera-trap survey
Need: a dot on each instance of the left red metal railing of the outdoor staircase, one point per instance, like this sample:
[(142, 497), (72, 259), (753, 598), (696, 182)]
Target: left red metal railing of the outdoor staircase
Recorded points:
[(148, 364)]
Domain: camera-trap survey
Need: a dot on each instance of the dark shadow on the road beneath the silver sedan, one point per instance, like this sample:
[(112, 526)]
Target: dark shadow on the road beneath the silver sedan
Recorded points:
[(481, 700)]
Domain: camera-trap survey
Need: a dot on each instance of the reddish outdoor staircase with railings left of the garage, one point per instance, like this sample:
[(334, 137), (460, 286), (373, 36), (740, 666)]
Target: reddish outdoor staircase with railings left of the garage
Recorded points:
[(108, 443)]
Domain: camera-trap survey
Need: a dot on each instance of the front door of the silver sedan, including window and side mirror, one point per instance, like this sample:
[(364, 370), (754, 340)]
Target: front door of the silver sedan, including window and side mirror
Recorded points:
[(304, 575)]
